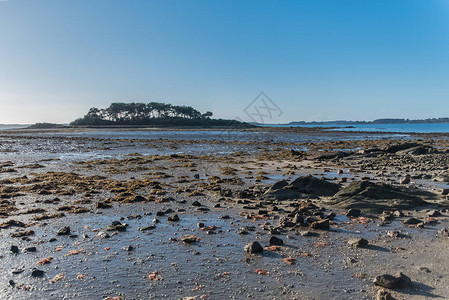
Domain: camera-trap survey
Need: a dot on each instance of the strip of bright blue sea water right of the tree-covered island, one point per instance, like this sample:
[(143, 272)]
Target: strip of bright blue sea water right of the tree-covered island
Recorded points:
[(402, 128)]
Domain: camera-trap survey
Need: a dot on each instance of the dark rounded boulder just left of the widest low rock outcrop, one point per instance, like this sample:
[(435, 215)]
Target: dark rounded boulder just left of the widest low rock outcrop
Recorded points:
[(313, 185)]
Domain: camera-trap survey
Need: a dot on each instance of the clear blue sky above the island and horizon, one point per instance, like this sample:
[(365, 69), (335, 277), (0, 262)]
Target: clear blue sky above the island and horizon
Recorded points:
[(316, 59)]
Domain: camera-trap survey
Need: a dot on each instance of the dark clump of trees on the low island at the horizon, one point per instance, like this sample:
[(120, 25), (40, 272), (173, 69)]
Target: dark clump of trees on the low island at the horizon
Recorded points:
[(152, 113)]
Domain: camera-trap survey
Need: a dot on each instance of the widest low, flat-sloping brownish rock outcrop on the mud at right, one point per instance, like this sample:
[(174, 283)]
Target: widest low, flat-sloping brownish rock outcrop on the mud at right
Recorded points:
[(373, 197)]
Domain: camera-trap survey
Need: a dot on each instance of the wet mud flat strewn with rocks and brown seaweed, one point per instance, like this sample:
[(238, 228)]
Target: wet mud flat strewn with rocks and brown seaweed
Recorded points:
[(283, 215)]
